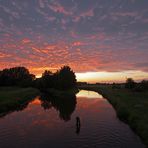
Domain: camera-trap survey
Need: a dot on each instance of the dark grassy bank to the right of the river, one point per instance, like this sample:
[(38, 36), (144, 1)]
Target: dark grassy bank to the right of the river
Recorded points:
[(130, 106)]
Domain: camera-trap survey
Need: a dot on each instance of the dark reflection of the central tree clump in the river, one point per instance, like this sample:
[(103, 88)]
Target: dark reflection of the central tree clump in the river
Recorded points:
[(65, 105)]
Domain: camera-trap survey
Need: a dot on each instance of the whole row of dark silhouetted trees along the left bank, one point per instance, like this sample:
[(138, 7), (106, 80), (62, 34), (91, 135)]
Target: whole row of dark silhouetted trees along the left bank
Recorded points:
[(20, 76)]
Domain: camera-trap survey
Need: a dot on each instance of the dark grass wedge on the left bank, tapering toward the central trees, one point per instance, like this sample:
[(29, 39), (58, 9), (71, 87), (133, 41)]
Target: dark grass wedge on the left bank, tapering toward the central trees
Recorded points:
[(11, 98)]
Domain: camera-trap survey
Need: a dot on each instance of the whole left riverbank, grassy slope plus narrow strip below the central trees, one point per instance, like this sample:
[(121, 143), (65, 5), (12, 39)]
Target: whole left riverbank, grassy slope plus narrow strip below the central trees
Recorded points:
[(12, 98)]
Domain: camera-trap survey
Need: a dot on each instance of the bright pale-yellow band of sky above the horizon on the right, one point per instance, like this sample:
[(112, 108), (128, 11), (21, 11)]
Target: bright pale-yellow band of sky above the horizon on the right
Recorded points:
[(93, 77)]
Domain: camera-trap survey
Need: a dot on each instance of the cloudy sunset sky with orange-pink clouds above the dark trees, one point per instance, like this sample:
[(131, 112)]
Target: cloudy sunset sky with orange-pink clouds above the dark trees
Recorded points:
[(101, 40)]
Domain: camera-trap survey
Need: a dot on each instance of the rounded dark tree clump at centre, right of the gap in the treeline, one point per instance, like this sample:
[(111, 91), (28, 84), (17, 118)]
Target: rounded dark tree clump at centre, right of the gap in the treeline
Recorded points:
[(63, 79)]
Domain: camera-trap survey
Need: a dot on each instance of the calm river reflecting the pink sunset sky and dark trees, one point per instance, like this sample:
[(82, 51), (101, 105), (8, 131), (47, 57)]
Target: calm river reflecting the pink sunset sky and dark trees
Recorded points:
[(51, 123)]
